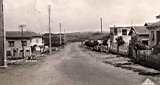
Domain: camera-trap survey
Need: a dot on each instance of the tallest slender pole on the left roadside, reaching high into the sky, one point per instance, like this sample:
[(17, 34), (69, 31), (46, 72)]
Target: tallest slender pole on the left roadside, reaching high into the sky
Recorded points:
[(49, 27)]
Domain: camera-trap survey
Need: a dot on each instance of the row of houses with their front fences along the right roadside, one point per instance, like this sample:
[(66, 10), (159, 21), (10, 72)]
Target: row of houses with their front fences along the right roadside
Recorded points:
[(148, 35)]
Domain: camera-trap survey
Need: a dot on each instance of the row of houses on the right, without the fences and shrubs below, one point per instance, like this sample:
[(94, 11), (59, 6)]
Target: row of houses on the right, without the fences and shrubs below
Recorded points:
[(149, 34)]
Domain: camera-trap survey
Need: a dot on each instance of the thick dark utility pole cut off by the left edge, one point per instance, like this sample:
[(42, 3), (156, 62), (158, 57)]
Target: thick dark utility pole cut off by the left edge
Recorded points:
[(3, 58)]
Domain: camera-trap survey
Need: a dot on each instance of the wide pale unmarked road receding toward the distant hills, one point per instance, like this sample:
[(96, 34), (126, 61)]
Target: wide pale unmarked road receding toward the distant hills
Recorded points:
[(70, 66)]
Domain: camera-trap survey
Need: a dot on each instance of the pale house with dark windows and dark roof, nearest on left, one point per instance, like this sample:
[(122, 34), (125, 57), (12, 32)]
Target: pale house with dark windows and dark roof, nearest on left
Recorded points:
[(20, 45)]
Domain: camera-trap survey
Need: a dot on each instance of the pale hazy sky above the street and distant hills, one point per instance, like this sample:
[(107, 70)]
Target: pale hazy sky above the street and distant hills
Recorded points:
[(78, 15)]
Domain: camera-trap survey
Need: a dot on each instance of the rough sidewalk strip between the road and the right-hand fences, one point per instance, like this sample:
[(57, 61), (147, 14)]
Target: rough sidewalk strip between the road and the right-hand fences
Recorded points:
[(123, 62)]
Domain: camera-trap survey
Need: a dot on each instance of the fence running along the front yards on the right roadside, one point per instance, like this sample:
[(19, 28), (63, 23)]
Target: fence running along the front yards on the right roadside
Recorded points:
[(144, 57)]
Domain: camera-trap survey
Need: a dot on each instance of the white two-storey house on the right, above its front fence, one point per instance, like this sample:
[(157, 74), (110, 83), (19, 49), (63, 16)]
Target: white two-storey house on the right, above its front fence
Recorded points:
[(141, 31)]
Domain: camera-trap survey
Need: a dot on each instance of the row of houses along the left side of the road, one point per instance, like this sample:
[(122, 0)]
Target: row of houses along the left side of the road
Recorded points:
[(25, 44)]
